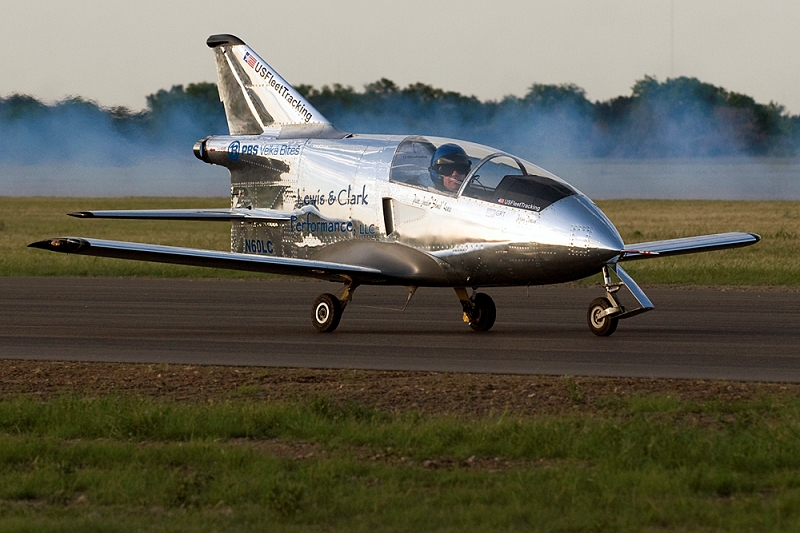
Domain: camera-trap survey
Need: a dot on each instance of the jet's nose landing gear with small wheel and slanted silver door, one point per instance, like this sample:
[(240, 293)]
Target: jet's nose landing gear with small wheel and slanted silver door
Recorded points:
[(605, 313)]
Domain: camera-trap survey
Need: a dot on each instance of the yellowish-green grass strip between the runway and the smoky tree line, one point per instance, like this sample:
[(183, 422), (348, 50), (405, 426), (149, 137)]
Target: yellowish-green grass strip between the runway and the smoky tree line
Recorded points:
[(771, 262)]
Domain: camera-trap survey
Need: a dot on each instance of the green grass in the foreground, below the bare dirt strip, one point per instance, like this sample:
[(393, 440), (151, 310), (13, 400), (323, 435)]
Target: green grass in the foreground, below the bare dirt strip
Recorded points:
[(650, 463)]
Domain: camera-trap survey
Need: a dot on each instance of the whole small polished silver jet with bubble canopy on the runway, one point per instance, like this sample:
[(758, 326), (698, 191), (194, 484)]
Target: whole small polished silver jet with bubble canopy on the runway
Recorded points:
[(310, 200)]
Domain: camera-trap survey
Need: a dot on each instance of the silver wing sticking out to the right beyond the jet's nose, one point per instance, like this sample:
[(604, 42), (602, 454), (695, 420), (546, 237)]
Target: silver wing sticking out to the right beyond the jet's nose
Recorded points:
[(688, 245)]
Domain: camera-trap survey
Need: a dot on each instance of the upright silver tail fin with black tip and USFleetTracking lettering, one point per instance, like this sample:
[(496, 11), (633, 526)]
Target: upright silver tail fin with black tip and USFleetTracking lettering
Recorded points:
[(257, 99)]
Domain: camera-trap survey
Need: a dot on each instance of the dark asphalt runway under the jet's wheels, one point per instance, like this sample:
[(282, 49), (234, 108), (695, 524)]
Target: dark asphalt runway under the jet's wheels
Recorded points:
[(692, 333)]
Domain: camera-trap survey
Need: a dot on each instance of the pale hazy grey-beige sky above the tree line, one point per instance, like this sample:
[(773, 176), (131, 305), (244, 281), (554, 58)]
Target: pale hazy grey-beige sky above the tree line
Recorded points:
[(119, 52)]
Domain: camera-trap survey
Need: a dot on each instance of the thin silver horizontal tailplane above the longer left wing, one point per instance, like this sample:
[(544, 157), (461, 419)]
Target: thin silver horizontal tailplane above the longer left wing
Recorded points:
[(223, 215)]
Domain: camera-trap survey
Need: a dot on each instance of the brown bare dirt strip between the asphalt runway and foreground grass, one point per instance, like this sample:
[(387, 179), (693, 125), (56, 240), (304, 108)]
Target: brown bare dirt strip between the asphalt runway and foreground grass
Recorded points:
[(425, 392)]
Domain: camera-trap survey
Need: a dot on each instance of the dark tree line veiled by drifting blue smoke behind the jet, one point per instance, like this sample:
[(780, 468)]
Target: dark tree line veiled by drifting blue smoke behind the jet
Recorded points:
[(679, 117)]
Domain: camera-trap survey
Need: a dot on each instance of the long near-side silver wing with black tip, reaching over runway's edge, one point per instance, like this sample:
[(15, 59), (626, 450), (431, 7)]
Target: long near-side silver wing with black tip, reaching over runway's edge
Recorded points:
[(208, 258)]
